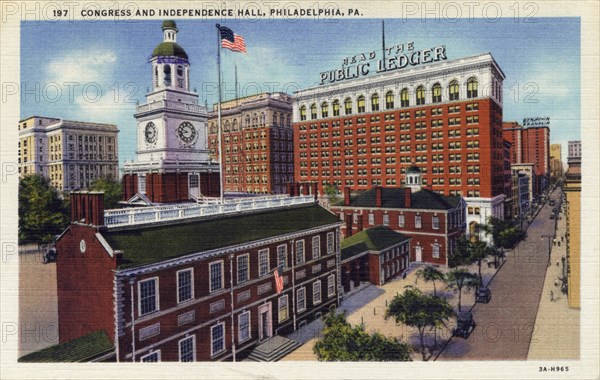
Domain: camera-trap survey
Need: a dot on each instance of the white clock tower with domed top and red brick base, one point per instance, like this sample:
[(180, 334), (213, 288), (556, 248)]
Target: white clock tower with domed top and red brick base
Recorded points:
[(173, 163)]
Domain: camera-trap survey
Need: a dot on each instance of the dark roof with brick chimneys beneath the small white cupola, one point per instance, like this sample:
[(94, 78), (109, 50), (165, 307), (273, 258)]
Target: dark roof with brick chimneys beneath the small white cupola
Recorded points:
[(394, 198)]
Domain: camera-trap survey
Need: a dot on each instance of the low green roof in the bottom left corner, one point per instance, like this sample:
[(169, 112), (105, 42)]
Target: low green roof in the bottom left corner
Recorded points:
[(81, 349)]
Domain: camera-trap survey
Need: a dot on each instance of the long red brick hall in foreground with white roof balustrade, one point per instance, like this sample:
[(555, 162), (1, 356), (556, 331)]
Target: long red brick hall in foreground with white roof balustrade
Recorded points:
[(195, 282)]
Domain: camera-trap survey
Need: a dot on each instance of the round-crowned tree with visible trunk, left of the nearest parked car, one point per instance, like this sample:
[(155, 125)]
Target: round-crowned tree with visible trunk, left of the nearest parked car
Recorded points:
[(415, 309)]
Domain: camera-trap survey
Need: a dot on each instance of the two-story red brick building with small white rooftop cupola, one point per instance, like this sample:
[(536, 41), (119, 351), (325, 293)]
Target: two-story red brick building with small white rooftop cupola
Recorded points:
[(433, 221)]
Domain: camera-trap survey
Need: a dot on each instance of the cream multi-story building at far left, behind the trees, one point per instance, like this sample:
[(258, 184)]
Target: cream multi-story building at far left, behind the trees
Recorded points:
[(72, 154)]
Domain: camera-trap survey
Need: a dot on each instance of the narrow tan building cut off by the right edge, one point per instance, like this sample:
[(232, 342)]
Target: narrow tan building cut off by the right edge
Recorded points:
[(572, 190)]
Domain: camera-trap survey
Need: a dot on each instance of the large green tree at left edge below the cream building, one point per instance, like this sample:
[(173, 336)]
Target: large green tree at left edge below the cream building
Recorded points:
[(42, 212)]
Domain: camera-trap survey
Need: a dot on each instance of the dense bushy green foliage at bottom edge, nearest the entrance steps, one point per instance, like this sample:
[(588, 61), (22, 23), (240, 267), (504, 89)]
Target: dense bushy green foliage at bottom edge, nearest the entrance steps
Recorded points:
[(343, 342)]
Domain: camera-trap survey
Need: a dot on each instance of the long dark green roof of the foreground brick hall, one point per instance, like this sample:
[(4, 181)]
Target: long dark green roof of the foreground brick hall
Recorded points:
[(142, 246)]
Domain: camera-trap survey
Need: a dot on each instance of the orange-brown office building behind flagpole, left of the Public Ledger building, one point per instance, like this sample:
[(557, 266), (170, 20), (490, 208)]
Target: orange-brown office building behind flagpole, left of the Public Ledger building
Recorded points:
[(257, 145)]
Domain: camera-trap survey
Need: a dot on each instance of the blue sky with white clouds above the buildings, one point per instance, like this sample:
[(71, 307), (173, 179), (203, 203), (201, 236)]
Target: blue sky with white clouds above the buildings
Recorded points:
[(97, 70)]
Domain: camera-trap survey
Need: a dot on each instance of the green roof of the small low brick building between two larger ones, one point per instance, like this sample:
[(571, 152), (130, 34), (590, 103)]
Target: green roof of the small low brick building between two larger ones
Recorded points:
[(374, 239)]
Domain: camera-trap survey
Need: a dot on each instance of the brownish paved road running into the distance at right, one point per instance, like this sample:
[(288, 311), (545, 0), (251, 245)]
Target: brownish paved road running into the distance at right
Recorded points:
[(505, 324)]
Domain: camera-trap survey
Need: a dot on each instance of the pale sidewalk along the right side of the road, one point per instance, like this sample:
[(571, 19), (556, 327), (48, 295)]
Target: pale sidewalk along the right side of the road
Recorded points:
[(557, 327)]
